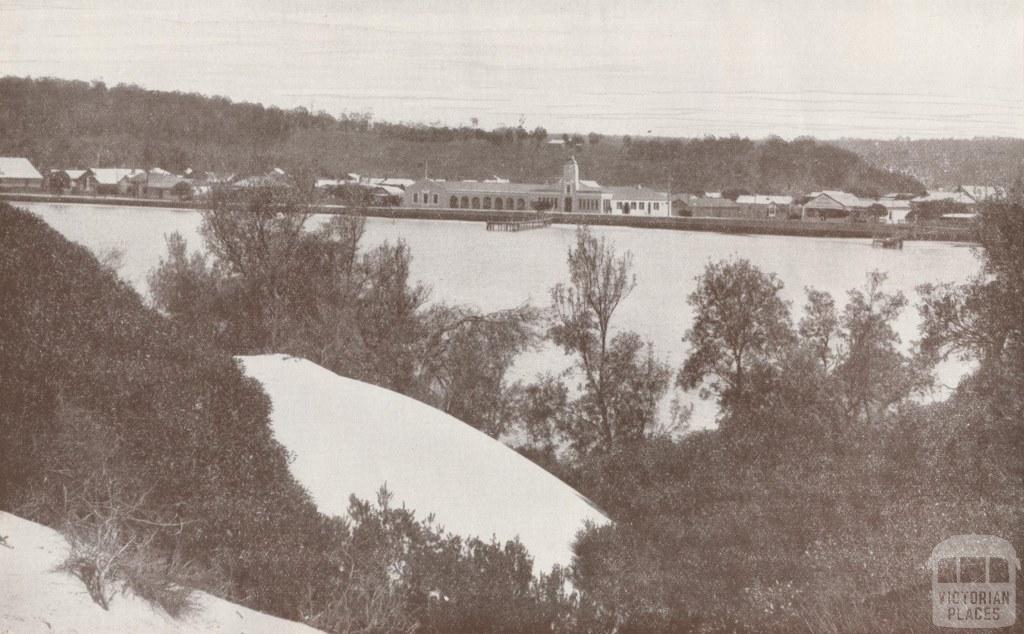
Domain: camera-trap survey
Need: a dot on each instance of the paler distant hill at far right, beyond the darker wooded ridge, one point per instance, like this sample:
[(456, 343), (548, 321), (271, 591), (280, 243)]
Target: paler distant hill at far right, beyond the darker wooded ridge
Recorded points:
[(946, 162)]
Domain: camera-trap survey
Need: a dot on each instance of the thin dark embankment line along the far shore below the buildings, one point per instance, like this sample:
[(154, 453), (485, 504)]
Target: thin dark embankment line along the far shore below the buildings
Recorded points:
[(799, 229)]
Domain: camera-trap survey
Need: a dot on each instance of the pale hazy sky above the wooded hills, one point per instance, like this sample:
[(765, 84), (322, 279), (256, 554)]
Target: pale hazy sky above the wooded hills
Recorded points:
[(866, 69)]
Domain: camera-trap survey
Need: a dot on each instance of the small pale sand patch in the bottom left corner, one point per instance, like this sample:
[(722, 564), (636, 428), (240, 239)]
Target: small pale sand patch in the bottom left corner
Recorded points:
[(36, 599)]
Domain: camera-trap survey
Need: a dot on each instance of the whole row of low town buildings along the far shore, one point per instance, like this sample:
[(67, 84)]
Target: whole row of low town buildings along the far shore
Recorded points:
[(568, 194)]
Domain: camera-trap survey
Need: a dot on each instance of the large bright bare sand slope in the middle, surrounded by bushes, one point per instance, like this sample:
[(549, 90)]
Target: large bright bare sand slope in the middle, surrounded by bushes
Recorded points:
[(349, 437)]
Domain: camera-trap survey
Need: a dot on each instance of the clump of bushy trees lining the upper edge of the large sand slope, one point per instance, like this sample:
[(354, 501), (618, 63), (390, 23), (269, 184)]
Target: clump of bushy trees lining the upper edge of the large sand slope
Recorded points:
[(269, 283)]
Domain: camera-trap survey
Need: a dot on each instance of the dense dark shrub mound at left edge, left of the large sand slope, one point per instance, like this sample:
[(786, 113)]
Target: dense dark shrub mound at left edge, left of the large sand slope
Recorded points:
[(100, 392)]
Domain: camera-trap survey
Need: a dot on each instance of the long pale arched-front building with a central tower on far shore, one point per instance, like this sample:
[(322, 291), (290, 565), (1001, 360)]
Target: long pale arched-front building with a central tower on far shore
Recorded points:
[(569, 194)]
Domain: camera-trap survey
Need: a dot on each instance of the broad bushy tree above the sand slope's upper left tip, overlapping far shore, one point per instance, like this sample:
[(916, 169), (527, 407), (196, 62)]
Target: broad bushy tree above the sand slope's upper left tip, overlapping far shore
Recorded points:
[(263, 277)]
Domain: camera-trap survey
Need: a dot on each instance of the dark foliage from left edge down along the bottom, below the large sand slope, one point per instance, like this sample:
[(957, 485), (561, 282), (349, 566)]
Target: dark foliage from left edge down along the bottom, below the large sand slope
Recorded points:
[(155, 454)]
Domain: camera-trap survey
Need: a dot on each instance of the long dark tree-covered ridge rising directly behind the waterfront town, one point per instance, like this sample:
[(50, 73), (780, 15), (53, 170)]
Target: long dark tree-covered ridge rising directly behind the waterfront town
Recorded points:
[(59, 123)]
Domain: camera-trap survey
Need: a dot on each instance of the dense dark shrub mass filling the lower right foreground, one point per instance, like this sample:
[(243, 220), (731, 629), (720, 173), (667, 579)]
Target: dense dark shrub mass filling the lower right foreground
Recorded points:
[(817, 503)]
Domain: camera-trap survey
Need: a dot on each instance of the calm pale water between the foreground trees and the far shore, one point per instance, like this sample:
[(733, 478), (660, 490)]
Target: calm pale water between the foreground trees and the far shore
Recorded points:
[(464, 264)]
